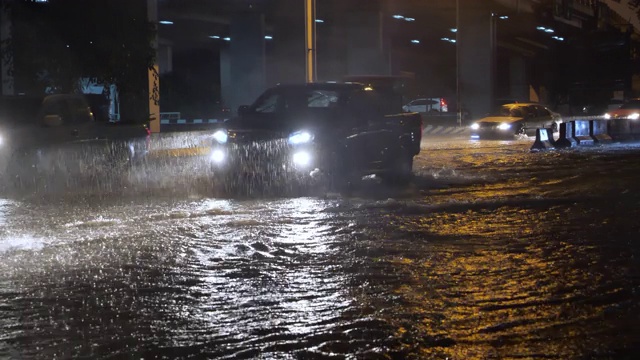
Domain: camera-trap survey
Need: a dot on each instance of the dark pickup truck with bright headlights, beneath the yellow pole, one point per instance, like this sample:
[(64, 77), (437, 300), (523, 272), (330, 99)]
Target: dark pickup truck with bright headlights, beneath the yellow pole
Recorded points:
[(299, 131)]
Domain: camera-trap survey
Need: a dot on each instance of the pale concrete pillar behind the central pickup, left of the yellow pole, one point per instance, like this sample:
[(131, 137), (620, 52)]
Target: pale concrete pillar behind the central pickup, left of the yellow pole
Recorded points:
[(247, 59)]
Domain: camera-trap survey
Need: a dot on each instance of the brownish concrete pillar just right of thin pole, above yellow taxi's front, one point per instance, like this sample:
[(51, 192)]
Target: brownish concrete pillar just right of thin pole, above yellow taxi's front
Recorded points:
[(476, 56)]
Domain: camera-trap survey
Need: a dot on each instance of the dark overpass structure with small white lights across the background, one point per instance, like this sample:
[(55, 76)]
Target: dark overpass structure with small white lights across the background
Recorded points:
[(474, 51)]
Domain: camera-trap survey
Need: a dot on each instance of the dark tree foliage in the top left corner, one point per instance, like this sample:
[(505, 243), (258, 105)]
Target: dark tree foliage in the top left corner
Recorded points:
[(56, 43)]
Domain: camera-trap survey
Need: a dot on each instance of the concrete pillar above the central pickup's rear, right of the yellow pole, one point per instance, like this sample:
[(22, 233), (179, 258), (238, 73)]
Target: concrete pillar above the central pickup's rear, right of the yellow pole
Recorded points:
[(366, 54)]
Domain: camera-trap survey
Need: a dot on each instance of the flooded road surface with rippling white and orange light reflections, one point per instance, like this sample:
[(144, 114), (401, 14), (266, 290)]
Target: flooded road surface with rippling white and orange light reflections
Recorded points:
[(493, 252)]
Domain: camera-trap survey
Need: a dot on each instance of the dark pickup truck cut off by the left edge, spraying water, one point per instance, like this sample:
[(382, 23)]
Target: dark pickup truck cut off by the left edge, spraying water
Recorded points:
[(57, 134)]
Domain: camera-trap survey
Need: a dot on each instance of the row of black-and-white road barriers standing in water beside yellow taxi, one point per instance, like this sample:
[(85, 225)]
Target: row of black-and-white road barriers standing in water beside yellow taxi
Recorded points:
[(588, 131)]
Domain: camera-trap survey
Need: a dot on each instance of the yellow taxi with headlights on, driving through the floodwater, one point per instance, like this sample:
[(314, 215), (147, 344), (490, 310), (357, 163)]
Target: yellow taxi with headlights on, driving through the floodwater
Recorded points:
[(515, 119)]
